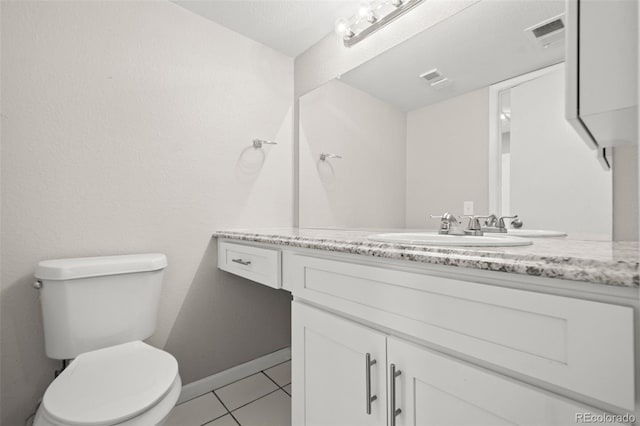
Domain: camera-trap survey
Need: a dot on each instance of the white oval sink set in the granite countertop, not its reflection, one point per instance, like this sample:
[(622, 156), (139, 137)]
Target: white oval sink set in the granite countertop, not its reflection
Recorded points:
[(434, 239)]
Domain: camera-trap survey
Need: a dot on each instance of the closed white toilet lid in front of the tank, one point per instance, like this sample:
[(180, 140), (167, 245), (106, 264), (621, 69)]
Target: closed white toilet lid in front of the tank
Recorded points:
[(110, 385)]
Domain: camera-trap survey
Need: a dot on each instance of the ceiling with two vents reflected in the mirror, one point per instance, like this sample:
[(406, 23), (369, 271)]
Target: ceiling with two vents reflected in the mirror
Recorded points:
[(482, 45)]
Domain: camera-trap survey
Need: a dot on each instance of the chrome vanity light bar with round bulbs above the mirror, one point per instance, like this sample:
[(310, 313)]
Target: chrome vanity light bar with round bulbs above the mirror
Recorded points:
[(370, 17)]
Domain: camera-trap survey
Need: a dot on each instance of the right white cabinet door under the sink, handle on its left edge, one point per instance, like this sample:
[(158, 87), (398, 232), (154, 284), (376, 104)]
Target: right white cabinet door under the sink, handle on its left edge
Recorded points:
[(434, 389)]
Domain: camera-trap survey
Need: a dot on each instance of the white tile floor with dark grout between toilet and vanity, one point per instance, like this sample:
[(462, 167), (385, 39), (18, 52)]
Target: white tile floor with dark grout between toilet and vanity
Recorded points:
[(262, 399)]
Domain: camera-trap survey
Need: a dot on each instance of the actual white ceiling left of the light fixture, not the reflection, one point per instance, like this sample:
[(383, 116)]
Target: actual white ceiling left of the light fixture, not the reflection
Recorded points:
[(290, 27)]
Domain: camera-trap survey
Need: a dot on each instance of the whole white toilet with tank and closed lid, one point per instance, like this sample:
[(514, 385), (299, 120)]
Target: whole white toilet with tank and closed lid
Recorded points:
[(97, 311)]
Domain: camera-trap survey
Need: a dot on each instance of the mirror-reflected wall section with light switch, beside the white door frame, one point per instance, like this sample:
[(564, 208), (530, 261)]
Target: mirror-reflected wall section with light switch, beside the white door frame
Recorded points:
[(447, 158)]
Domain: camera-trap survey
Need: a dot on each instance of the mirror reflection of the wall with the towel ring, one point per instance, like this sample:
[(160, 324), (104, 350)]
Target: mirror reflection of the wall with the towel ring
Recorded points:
[(366, 187)]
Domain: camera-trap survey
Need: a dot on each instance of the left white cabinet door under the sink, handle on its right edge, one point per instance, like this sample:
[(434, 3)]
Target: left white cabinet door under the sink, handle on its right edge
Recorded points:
[(329, 370)]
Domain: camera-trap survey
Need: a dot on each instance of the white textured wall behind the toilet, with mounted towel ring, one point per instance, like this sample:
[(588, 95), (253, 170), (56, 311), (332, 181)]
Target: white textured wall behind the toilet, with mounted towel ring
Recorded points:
[(126, 128)]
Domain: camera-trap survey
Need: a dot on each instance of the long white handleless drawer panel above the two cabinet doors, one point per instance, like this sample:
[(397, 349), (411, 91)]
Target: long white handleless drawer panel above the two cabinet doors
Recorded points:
[(579, 345)]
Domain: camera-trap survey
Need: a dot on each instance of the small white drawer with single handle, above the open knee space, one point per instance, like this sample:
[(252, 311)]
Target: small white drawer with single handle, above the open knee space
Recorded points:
[(255, 263)]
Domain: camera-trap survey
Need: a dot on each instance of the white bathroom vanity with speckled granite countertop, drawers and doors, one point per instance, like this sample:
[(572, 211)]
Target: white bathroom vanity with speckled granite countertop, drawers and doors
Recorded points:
[(389, 334)]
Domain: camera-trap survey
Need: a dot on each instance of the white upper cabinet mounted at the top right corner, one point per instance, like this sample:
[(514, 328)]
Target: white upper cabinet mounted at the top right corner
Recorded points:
[(602, 71)]
